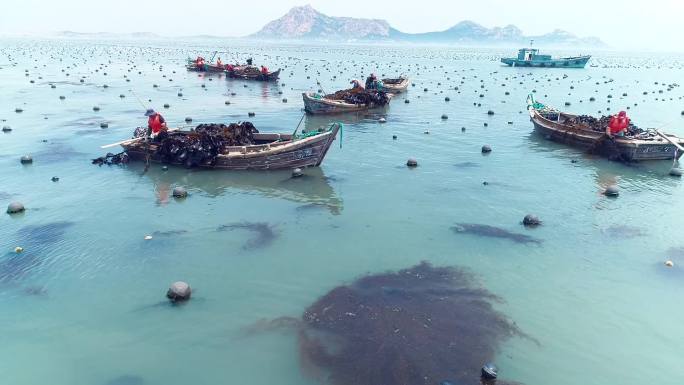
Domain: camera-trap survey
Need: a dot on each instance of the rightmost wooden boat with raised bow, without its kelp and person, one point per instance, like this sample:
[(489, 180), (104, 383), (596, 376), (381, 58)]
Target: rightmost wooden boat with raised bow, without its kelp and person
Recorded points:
[(562, 127)]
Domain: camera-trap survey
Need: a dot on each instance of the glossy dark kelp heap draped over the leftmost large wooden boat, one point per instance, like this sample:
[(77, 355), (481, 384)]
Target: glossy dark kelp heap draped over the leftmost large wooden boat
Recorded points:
[(205, 143)]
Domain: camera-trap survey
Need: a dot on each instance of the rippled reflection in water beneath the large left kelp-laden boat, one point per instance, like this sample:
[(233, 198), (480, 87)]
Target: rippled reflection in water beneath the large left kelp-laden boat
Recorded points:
[(313, 189)]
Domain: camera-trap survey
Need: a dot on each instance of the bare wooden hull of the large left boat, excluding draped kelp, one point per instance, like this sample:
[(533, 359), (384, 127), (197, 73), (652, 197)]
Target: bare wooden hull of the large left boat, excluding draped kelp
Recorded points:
[(272, 151)]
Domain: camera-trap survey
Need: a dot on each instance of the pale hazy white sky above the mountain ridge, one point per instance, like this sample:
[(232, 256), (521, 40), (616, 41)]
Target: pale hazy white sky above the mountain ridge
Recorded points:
[(622, 24)]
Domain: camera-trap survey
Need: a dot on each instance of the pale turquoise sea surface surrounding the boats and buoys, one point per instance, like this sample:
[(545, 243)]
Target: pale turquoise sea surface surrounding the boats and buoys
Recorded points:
[(84, 303)]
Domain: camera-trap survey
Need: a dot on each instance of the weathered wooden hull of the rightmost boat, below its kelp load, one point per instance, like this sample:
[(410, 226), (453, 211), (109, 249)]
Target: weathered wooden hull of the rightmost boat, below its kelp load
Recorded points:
[(632, 150)]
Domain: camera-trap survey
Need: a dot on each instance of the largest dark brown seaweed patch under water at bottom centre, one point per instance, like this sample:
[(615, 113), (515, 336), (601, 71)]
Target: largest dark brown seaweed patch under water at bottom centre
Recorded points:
[(422, 325)]
